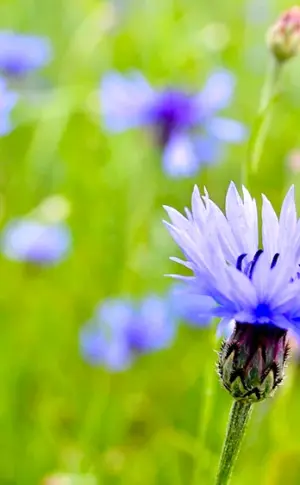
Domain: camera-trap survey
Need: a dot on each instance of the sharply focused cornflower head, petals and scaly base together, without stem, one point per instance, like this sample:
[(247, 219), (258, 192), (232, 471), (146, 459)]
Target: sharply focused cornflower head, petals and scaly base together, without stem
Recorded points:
[(256, 287)]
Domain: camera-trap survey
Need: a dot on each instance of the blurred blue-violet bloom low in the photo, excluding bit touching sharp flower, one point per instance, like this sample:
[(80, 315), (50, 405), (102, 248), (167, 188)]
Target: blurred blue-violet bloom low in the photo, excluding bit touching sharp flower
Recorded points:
[(120, 330)]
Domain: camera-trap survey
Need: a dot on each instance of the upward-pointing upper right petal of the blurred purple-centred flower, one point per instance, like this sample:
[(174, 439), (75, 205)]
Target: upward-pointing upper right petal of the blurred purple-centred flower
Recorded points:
[(217, 92)]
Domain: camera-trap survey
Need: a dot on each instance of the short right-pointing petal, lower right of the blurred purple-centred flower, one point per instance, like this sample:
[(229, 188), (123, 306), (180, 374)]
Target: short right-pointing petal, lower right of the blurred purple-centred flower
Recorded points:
[(227, 130)]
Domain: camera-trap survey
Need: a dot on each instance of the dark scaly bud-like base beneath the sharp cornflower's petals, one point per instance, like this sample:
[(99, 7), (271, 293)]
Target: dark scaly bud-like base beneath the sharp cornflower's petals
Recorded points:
[(251, 362)]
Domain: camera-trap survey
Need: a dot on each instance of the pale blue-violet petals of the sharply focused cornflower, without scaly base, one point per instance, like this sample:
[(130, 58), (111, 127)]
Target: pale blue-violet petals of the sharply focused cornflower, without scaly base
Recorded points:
[(248, 284)]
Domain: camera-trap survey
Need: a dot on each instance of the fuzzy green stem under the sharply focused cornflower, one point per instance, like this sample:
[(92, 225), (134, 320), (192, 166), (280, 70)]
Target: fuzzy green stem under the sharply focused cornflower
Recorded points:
[(239, 415)]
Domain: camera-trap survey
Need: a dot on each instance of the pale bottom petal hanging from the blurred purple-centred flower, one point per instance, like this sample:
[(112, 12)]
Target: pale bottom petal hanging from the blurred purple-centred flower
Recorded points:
[(180, 158)]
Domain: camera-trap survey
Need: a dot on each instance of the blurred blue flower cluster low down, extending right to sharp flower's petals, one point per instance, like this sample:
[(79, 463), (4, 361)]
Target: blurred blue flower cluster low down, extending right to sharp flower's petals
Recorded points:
[(121, 329)]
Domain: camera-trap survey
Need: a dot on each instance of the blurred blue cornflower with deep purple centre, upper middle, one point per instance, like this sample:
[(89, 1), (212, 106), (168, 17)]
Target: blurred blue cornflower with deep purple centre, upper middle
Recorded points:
[(186, 125)]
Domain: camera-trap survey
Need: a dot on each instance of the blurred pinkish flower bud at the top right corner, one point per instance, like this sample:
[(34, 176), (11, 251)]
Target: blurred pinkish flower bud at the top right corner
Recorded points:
[(283, 37)]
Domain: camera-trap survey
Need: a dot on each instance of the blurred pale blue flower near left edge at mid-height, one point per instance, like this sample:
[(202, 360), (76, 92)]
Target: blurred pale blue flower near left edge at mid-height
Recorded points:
[(35, 242)]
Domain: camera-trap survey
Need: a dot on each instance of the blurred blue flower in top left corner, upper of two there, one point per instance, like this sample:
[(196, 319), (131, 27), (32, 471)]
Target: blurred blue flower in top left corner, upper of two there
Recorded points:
[(21, 54)]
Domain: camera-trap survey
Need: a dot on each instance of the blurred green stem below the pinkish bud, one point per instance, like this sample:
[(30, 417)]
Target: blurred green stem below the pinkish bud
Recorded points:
[(258, 136)]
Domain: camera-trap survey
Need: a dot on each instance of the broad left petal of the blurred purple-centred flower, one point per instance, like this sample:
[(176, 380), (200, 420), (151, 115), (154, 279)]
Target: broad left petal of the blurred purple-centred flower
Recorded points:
[(125, 100)]
